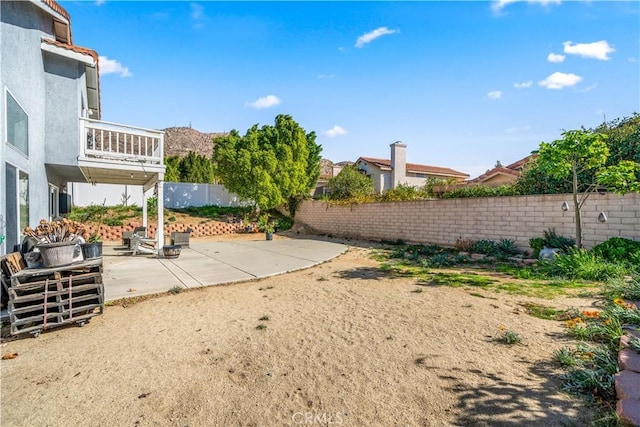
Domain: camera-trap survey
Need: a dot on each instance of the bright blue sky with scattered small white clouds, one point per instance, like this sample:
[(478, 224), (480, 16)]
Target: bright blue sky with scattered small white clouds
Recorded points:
[(463, 84)]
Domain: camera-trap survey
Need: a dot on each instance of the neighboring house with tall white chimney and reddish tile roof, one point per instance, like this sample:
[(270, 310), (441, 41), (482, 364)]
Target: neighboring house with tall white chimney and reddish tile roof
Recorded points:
[(388, 174)]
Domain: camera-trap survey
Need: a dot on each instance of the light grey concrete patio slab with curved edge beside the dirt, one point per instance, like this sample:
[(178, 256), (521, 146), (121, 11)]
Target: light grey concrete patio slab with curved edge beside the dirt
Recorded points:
[(210, 262)]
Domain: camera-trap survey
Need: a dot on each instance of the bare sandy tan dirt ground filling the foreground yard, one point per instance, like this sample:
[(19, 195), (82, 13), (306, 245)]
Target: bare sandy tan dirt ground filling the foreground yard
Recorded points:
[(343, 343)]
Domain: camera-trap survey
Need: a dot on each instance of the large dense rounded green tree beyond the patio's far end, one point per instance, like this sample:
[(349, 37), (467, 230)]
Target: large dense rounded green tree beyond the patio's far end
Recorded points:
[(269, 165)]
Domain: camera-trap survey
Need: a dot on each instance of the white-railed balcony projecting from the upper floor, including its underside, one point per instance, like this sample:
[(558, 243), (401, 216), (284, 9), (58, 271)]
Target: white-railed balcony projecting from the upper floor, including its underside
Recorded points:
[(111, 153)]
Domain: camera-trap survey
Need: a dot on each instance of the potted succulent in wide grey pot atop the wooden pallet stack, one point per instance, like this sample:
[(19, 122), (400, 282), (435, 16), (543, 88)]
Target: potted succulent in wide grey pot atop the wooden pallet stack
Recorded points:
[(56, 240)]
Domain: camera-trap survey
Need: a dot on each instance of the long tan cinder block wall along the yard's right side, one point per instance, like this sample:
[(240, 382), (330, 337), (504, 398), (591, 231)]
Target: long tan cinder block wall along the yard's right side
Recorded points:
[(444, 221)]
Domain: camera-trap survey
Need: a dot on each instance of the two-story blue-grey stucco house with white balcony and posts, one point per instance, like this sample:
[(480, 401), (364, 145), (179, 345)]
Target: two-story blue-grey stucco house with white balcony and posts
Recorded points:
[(50, 122)]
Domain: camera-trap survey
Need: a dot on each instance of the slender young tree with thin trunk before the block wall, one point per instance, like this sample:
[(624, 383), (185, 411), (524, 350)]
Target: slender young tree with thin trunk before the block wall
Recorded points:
[(577, 152)]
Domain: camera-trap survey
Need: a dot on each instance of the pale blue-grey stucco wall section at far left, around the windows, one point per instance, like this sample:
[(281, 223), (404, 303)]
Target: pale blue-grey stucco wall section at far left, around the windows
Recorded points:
[(22, 24)]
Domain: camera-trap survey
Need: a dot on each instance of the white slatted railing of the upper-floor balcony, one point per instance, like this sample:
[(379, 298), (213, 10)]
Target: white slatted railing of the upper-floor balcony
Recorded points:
[(113, 141)]
